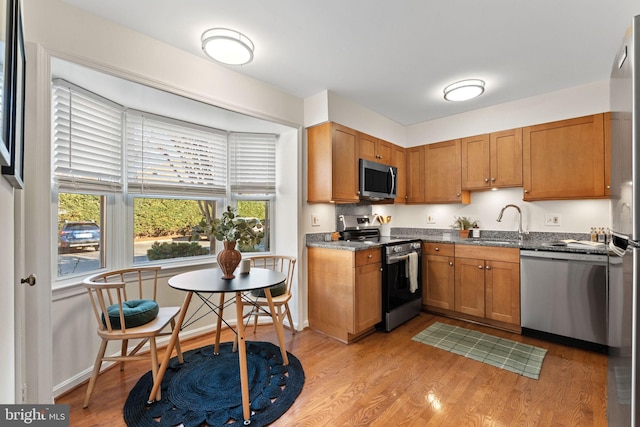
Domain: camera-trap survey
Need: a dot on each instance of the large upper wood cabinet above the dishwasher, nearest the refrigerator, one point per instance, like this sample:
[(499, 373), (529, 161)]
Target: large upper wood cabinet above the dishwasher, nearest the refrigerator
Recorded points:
[(565, 159)]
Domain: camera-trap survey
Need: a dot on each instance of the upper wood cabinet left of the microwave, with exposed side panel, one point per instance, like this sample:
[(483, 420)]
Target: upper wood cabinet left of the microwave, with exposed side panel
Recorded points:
[(332, 167)]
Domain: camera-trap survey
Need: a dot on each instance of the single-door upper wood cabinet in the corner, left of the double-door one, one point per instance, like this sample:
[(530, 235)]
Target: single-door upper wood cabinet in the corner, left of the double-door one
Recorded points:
[(442, 173)]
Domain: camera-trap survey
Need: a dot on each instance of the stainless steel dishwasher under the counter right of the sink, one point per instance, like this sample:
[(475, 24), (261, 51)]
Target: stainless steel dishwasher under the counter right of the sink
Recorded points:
[(563, 297)]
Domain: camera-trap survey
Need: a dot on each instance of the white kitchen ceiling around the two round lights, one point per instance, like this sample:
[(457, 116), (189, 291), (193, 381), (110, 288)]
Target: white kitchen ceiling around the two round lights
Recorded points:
[(395, 58)]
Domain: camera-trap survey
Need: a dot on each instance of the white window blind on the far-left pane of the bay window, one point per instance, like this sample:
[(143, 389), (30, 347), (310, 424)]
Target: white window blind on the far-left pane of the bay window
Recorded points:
[(87, 139)]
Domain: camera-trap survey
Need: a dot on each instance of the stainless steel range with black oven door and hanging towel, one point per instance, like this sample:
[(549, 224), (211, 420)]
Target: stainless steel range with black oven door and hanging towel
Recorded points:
[(401, 269)]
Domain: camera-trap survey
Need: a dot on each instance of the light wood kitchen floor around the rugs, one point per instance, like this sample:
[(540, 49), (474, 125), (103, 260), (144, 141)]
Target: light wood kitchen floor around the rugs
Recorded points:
[(387, 379)]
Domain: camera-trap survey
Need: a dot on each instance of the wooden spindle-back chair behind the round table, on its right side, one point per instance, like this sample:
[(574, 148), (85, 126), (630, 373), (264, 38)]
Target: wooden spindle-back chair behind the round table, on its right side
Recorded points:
[(280, 294)]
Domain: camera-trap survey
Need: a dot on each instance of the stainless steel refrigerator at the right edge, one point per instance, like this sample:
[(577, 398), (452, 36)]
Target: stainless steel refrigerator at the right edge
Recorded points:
[(622, 407)]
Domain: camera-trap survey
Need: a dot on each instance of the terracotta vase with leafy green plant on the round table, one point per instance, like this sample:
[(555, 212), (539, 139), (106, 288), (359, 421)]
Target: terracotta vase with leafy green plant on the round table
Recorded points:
[(231, 229)]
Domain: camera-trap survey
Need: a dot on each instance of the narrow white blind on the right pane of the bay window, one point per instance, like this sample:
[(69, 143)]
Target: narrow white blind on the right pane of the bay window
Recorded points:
[(252, 163)]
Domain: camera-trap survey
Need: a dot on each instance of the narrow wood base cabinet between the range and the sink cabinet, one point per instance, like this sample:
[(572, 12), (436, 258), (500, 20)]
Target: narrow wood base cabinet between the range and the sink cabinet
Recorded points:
[(438, 270)]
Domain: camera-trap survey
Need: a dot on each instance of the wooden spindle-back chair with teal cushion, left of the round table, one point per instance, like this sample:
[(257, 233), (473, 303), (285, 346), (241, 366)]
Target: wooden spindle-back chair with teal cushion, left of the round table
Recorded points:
[(121, 318)]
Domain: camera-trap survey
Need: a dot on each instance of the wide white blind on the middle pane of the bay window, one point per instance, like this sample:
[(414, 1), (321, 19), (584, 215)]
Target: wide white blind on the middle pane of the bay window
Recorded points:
[(167, 156)]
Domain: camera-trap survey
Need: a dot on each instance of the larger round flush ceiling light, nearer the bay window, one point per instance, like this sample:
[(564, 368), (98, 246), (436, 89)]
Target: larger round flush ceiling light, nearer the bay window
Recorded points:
[(227, 46)]
